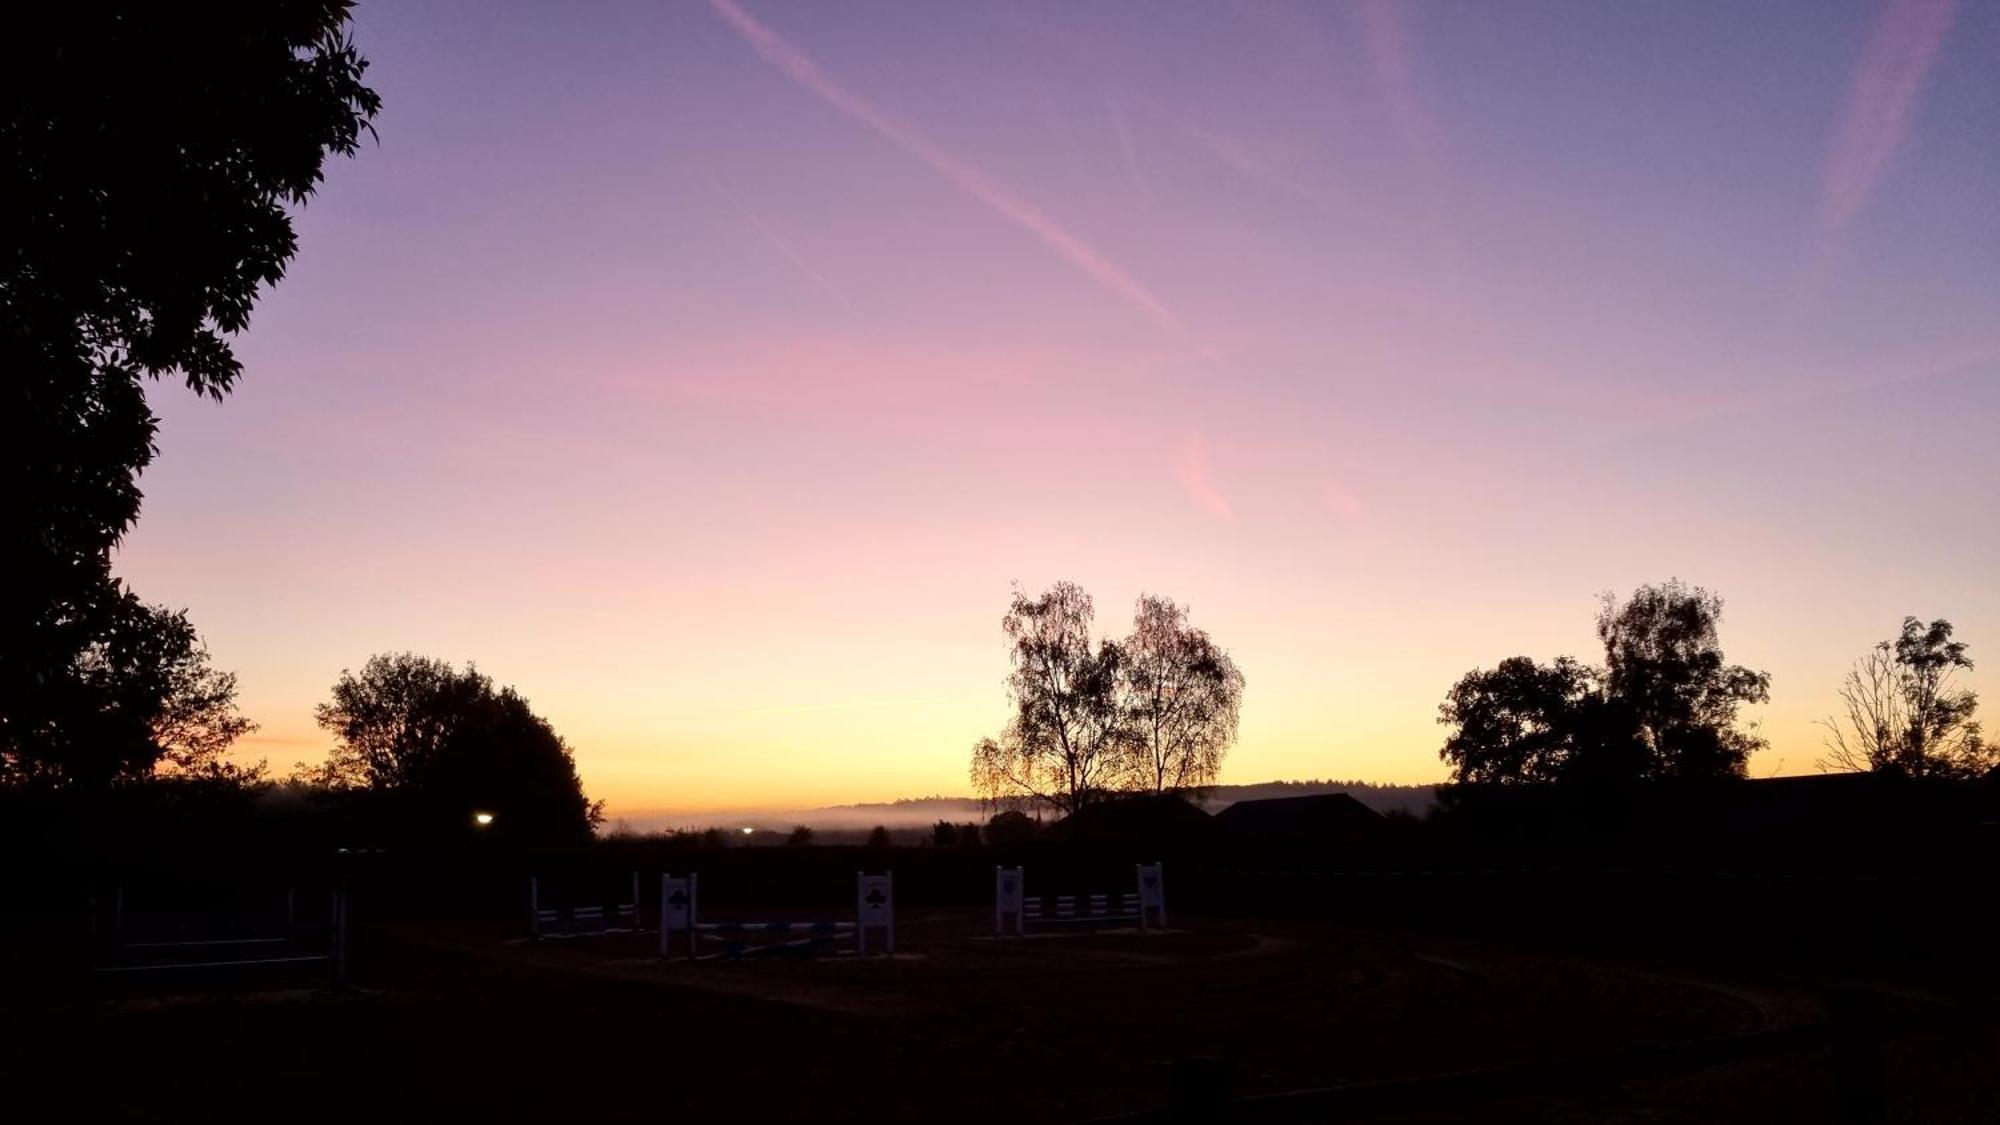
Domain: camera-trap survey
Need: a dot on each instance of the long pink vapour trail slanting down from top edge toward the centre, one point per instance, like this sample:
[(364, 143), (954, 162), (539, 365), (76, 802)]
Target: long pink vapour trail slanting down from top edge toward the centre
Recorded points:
[(807, 75)]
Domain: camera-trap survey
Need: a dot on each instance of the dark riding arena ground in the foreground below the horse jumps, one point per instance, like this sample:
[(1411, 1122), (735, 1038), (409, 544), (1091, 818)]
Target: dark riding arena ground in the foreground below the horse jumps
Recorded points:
[(471, 1024)]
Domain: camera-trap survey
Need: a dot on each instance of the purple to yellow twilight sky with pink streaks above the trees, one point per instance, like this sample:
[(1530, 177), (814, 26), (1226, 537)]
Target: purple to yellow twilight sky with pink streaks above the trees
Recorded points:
[(709, 369)]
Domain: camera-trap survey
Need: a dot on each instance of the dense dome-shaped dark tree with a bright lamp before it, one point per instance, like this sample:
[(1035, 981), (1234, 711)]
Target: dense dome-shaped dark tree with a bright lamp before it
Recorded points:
[(447, 744)]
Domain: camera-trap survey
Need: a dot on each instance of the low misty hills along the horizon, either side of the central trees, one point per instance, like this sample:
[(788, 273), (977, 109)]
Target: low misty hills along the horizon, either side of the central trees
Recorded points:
[(925, 812)]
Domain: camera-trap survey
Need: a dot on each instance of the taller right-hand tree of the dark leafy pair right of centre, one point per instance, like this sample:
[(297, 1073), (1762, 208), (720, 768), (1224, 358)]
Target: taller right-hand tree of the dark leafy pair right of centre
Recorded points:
[(1665, 672)]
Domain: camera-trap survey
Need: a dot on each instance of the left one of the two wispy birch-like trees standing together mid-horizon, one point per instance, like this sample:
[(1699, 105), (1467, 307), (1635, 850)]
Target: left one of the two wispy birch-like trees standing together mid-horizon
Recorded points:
[(1067, 736)]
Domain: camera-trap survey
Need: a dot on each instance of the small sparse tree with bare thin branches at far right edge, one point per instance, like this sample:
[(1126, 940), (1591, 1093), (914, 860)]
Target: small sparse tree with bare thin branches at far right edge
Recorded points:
[(1903, 712)]
